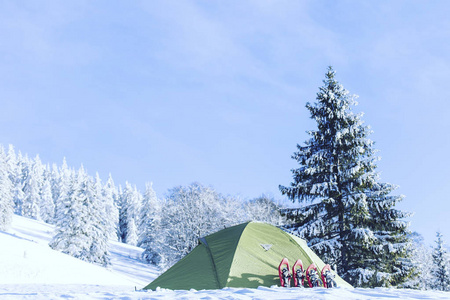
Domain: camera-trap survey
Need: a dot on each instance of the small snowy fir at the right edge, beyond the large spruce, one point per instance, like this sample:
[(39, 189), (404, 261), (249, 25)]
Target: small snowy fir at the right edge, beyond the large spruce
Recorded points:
[(441, 268)]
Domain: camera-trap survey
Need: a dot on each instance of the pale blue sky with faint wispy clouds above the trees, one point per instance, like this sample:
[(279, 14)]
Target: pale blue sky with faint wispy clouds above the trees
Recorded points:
[(214, 91)]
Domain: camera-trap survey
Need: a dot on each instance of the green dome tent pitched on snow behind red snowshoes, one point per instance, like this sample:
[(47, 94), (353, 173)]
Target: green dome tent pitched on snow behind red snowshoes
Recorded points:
[(245, 255)]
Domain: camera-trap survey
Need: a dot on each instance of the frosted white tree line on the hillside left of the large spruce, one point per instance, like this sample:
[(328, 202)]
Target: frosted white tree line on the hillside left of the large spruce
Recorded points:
[(88, 213)]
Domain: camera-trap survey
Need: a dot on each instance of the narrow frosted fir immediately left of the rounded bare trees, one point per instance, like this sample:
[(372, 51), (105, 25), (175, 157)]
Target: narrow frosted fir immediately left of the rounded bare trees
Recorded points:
[(149, 222)]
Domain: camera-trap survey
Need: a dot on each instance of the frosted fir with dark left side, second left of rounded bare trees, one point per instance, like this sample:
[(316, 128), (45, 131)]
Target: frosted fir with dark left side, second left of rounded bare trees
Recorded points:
[(130, 200)]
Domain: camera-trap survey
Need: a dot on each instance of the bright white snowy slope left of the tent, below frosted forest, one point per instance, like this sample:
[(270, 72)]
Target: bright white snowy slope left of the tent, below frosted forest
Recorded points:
[(26, 258)]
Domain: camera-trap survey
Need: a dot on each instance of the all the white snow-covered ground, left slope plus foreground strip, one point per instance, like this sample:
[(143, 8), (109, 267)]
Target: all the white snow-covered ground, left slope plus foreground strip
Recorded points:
[(29, 269)]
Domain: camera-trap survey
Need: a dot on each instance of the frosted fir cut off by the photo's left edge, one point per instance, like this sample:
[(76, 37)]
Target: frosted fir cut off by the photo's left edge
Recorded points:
[(6, 196)]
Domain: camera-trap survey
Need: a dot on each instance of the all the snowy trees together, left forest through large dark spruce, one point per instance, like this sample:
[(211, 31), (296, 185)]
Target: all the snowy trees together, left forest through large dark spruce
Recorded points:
[(345, 213)]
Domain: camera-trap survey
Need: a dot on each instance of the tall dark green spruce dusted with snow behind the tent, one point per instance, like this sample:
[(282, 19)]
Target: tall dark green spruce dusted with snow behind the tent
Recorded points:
[(347, 216)]
